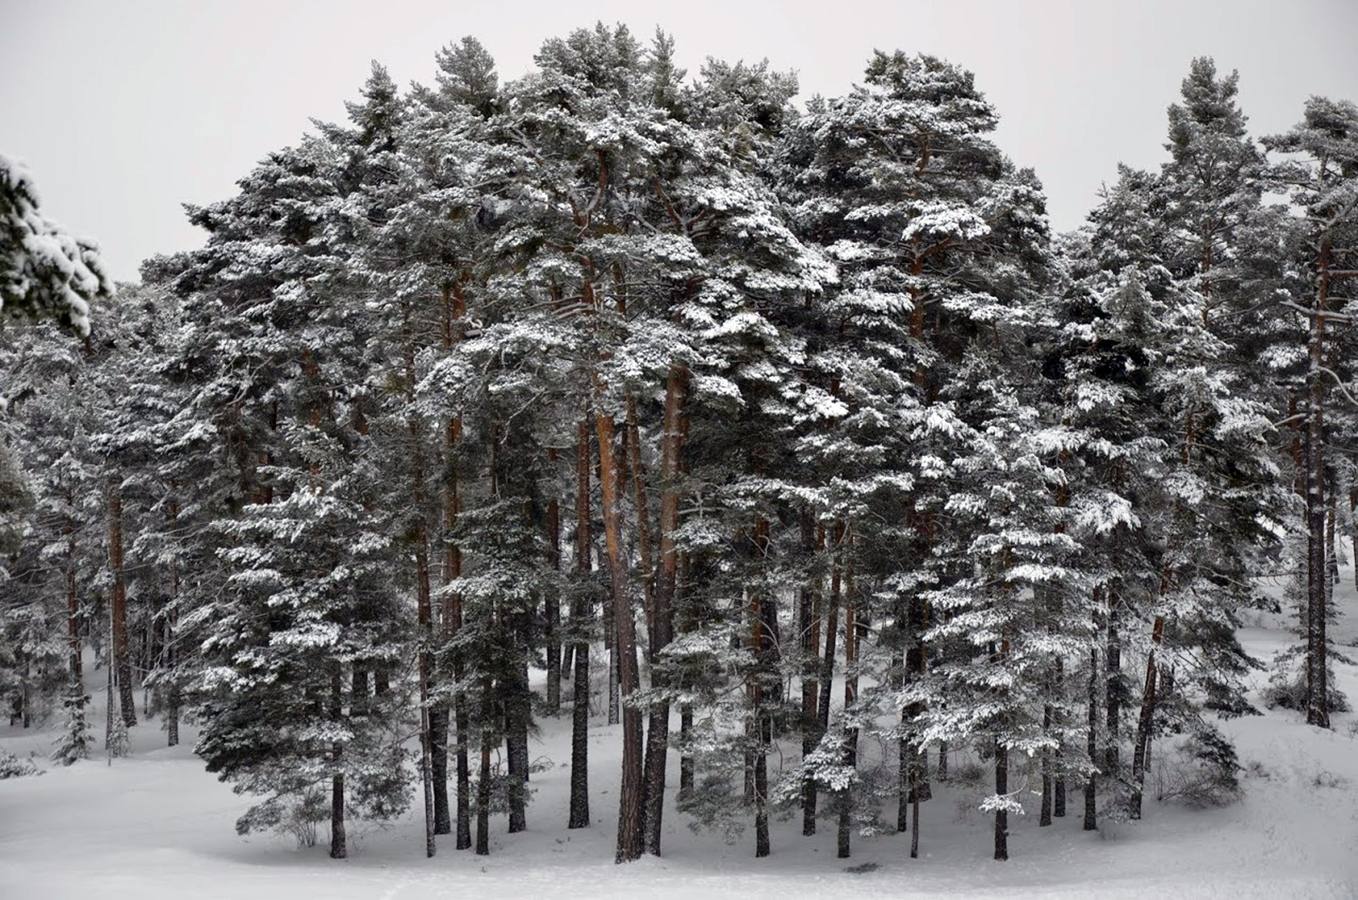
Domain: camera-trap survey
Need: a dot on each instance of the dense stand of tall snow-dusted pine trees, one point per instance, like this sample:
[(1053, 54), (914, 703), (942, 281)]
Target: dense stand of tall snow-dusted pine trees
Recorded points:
[(782, 438)]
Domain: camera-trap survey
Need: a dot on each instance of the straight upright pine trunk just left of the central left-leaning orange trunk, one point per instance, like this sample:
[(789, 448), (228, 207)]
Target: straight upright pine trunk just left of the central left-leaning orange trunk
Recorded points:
[(581, 626)]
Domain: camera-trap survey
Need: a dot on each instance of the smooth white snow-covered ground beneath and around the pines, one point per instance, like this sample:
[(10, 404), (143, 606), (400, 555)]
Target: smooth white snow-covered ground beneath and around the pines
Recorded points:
[(158, 826)]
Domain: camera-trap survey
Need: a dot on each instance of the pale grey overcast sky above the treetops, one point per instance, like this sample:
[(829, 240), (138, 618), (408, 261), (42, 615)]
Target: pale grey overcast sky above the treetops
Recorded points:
[(127, 109)]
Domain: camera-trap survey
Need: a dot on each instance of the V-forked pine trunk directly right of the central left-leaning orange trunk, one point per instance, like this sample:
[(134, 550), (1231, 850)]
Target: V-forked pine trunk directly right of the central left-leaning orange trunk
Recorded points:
[(663, 595)]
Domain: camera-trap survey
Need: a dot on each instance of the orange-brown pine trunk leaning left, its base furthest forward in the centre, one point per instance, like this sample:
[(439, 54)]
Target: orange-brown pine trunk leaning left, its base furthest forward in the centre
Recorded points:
[(625, 641)]
